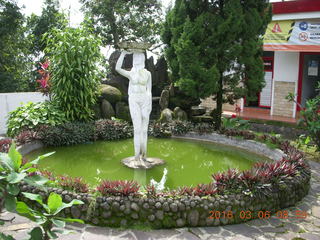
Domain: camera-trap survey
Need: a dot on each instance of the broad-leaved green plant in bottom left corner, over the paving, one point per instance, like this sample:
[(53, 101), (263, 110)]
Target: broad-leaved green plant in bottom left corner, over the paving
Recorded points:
[(47, 217)]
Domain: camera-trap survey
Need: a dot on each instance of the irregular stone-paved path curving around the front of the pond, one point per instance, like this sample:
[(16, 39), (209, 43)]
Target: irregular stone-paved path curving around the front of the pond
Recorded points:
[(273, 228)]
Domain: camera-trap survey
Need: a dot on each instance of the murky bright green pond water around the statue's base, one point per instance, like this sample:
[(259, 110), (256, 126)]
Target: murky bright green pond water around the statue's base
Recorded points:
[(188, 162)]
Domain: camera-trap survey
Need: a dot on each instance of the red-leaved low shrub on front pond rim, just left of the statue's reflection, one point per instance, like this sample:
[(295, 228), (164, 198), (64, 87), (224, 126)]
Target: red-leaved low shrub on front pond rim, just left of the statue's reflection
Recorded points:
[(118, 188)]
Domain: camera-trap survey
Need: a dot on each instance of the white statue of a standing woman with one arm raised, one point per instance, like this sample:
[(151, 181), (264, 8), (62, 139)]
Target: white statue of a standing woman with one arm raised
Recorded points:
[(140, 102)]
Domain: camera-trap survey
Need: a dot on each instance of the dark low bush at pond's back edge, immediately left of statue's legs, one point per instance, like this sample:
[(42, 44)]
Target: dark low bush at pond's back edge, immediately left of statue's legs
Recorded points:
[(112, 129)]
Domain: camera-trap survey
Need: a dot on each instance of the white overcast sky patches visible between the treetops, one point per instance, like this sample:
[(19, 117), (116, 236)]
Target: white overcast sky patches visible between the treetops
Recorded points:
[(76, 16)]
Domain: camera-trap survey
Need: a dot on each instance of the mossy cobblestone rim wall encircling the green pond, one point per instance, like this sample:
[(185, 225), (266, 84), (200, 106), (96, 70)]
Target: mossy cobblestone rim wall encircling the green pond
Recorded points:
[(181, 211)]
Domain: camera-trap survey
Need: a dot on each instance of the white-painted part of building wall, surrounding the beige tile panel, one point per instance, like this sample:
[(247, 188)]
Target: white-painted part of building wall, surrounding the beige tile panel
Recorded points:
[(286, 69)]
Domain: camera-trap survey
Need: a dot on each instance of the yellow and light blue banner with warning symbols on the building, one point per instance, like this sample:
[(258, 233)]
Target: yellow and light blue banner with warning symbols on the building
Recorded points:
[(292, 35)]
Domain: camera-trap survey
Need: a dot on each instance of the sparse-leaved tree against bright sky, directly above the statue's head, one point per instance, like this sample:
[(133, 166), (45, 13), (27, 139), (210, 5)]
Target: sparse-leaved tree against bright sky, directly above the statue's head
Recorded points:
[(123, 20)]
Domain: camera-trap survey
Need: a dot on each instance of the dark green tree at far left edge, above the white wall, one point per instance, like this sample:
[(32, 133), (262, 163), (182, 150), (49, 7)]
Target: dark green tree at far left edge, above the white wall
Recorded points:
[(14, 54)]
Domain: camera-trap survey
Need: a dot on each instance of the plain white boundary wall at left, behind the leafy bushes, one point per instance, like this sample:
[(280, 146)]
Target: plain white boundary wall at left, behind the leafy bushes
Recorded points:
[(10, 101)]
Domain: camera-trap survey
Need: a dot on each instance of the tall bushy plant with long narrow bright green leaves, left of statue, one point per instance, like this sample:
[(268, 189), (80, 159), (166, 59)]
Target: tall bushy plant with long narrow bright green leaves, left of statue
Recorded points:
[(74, 55)]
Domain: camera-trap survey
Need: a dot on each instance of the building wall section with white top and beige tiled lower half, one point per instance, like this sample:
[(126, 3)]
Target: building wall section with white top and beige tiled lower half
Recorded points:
[(285, 79)]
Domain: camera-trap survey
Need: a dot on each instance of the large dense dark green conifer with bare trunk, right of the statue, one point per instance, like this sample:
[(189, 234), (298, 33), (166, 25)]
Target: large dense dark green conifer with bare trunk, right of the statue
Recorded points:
[(214, 48)]
